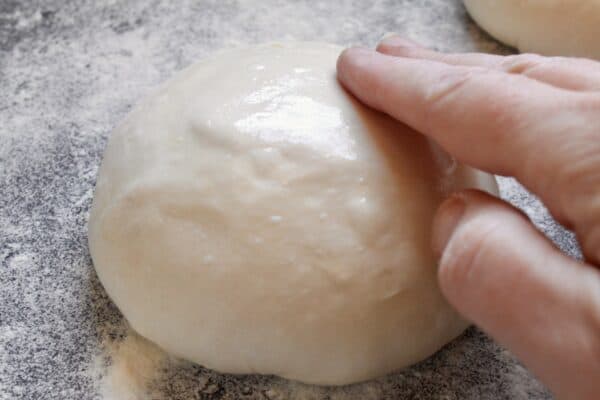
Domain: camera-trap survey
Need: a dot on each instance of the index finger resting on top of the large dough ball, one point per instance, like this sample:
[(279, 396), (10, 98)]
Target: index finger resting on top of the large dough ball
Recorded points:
[(506, 124)]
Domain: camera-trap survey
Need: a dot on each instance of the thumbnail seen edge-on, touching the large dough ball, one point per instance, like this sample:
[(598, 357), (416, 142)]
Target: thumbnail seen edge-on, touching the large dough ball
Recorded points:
[(446, 221)]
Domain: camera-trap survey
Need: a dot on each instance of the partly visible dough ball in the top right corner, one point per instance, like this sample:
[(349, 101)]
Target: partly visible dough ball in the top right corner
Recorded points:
[(550, 27)]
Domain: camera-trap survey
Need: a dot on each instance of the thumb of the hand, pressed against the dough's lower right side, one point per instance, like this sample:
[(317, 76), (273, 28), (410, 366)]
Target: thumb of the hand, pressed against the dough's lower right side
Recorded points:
[(501, 273)]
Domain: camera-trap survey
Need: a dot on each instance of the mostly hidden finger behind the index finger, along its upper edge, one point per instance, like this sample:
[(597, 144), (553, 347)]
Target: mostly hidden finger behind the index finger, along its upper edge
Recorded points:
[(567, 73)]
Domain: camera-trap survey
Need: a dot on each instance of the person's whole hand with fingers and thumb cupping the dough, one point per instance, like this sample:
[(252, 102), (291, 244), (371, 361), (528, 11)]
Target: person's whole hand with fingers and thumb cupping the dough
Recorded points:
[(536, 119)]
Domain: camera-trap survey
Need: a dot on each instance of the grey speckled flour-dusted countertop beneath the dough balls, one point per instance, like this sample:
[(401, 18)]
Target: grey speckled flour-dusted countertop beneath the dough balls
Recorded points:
[(69, 71)]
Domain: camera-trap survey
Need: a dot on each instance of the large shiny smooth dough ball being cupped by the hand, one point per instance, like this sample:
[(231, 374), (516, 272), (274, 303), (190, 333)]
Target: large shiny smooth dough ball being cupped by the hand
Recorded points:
[(253, 217)]
